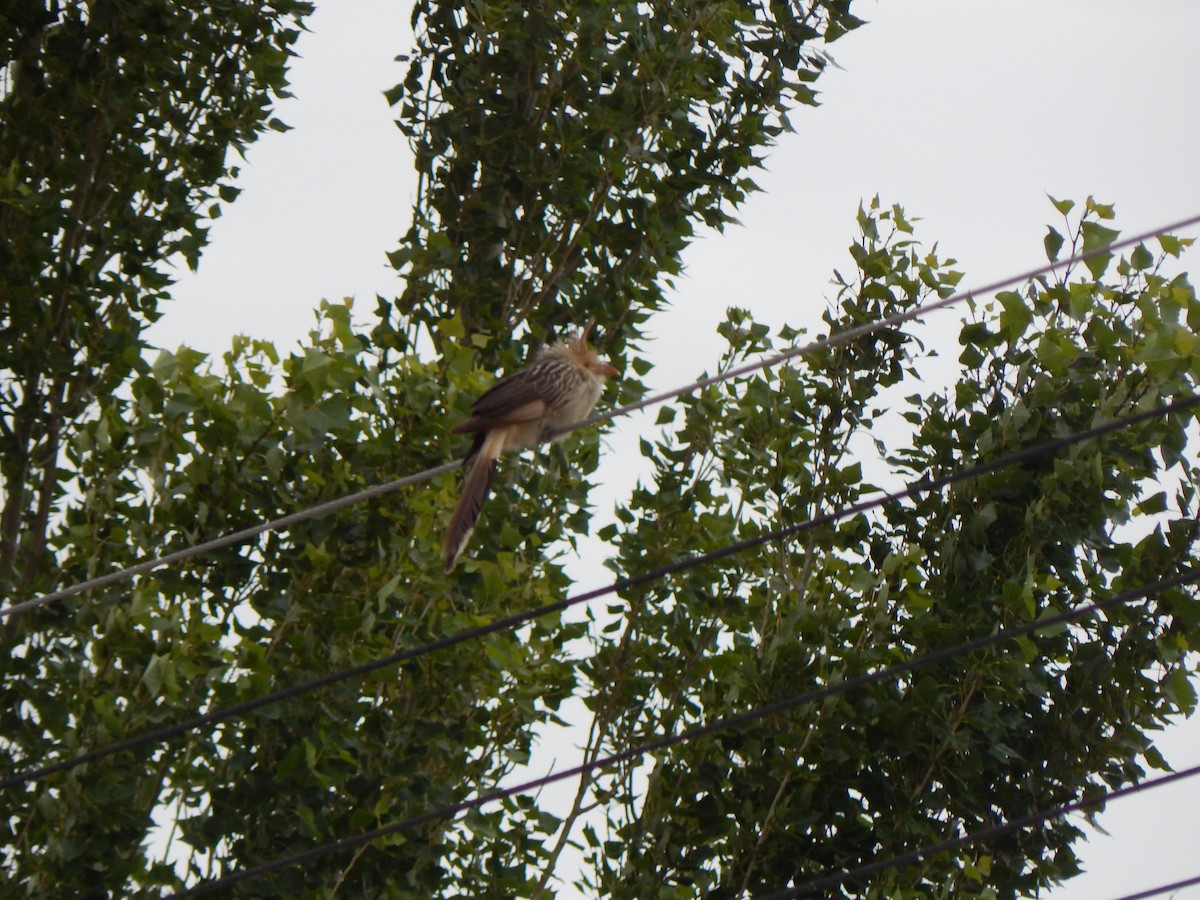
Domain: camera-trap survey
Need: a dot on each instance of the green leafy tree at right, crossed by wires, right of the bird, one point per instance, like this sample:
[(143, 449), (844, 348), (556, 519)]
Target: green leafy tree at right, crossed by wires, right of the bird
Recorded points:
[(951, 748)]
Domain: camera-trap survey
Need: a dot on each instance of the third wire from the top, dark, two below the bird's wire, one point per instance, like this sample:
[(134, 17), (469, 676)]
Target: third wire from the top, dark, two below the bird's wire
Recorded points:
[(668, 742)]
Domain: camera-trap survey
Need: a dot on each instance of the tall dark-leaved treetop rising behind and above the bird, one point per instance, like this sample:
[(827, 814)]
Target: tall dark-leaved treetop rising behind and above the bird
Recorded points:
[(567, 153)]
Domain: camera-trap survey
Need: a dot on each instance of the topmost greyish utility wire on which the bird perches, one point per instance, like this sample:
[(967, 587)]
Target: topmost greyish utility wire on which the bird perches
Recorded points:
[(842, 338)]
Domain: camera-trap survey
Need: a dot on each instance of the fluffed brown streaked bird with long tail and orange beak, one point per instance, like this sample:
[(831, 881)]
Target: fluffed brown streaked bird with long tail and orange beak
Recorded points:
[(560, 388)]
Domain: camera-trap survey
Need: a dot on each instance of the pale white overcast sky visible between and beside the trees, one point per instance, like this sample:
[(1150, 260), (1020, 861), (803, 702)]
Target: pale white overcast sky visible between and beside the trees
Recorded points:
[(968, 113)]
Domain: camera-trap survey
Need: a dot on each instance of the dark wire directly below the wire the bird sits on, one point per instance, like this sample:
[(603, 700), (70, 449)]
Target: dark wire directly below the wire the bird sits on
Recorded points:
[(517, 620)]
